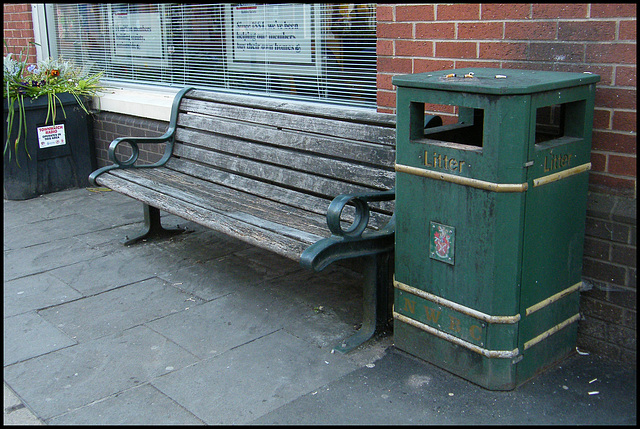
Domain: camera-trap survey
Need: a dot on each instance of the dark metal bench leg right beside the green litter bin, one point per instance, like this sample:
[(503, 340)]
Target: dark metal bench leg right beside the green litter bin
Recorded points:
[(375, 301)]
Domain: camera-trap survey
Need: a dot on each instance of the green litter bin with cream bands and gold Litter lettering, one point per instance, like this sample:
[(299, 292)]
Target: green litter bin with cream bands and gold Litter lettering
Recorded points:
[(490, 214)]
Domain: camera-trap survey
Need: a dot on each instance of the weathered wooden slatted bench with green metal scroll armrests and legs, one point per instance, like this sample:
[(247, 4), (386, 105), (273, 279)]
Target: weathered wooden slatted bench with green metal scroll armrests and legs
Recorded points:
[(311, 182)]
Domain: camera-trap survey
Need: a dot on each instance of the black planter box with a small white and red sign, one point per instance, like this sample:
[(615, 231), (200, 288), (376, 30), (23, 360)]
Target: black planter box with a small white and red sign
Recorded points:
[(53, 166)]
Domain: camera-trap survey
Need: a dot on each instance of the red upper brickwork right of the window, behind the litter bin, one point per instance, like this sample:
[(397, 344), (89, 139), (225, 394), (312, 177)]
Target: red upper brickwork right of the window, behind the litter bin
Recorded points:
[(601, 38)]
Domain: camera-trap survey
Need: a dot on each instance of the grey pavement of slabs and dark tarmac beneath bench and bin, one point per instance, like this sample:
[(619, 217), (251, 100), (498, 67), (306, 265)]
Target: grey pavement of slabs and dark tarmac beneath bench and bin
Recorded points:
[(202, 329)]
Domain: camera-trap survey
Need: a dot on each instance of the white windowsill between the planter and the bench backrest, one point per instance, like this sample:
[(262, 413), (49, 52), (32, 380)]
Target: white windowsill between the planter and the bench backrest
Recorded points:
[(142, 101)]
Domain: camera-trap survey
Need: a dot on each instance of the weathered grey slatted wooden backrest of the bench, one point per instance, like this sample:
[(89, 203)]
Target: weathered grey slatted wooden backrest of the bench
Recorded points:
[(299, 153)]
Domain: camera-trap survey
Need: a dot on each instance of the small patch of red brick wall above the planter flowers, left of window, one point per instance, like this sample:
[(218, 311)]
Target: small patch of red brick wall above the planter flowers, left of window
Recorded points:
[(18, 31)]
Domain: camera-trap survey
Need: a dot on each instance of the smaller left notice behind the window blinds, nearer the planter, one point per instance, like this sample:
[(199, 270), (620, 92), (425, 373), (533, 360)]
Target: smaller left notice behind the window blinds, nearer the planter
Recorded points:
[(137, 35)]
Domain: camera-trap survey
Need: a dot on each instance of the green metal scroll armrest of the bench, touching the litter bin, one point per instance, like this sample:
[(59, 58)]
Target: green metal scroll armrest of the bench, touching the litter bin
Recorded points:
[(361, 216)]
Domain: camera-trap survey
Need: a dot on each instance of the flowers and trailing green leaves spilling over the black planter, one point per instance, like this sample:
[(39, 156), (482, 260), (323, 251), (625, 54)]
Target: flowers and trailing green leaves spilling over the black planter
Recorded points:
[(48, 78)]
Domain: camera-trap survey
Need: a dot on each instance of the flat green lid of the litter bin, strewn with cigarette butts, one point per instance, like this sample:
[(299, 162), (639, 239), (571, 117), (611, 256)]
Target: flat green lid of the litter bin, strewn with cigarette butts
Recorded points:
[(495, 81)]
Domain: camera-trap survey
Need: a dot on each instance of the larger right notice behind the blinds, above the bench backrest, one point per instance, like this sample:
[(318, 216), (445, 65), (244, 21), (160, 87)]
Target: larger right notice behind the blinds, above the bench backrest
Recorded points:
[(272, 33)]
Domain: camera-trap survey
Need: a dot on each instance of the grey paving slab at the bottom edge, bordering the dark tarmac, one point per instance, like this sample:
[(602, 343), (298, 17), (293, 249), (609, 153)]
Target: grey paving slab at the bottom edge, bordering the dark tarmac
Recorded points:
[(244, 383)]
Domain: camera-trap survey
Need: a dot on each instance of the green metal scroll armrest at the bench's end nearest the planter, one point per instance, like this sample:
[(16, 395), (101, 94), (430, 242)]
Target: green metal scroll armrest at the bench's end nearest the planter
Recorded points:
[(167, 137)]
